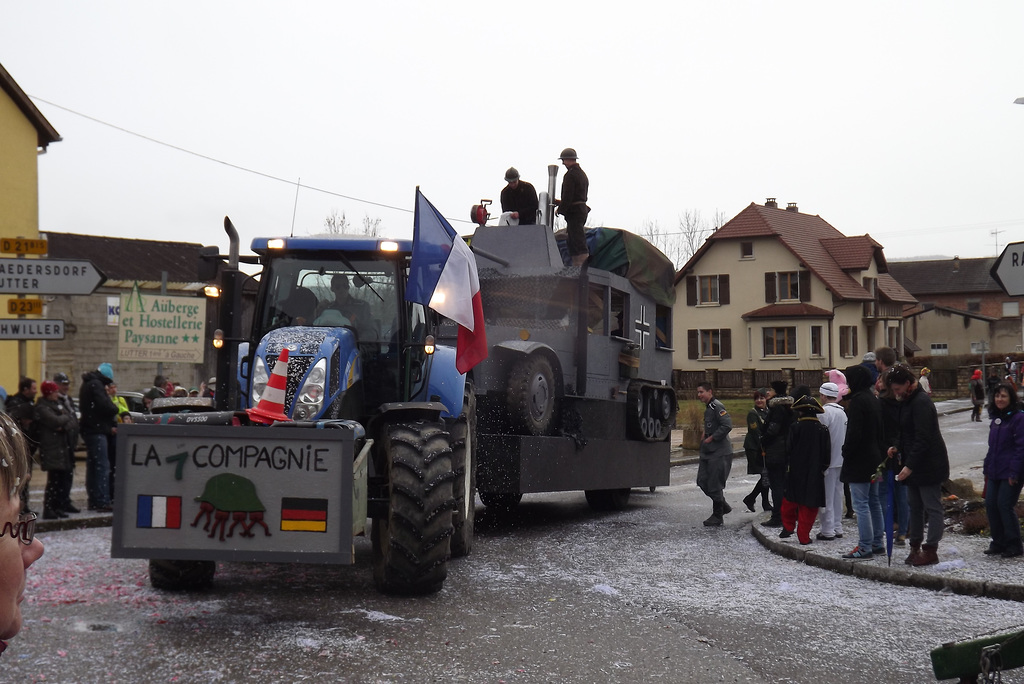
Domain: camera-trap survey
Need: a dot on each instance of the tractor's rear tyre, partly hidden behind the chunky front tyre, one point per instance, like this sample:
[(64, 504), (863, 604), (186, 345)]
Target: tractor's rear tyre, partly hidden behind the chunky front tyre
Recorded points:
[(464, 465)]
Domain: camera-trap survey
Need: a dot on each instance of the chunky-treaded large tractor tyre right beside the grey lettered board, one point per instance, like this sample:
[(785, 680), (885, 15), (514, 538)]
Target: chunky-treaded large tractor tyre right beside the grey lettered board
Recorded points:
[(412, 543)]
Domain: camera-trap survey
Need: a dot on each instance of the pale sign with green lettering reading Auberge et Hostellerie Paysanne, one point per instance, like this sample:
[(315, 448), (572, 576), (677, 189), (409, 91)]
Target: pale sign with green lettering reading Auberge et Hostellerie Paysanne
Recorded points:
[(159, 328)]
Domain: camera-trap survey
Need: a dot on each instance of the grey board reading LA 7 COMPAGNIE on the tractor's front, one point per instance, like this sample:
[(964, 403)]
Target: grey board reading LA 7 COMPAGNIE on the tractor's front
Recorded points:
[(239, 494)]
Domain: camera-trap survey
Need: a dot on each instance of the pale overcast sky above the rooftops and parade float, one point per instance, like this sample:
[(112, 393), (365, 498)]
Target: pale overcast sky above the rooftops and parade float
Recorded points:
[(891, 119)]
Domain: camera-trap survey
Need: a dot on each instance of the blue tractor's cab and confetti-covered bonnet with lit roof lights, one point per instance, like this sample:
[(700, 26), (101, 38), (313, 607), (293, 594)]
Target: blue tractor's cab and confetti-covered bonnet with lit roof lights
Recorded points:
[(338, 306)]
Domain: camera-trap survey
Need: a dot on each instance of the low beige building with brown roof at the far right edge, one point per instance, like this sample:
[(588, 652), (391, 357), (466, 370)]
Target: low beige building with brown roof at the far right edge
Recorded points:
[(961, 309)]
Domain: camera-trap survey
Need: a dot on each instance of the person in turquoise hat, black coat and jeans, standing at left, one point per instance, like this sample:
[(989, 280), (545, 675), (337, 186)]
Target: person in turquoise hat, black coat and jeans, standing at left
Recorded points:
[(99, 417)]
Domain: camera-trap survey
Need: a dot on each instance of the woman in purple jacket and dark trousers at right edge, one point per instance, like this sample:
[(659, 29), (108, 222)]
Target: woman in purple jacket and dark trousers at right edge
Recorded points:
[(1005, 473)]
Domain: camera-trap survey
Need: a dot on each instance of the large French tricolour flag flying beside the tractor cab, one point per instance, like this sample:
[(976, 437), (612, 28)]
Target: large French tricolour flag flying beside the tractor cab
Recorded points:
[(443, 276)]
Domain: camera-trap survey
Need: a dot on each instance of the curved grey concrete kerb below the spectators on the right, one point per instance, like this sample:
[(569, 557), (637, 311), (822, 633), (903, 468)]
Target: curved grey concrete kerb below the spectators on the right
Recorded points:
[(908, 577)]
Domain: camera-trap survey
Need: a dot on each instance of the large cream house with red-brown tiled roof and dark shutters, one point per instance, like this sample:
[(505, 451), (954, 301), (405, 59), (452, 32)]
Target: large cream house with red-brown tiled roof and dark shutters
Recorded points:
[(777, 289)]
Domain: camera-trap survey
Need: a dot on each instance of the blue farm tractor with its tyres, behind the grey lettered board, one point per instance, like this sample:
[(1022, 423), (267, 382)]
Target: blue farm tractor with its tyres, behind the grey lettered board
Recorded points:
[(363, 358)]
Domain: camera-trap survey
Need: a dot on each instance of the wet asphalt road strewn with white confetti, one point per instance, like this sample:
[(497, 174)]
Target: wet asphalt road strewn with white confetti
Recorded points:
[(556, 593)]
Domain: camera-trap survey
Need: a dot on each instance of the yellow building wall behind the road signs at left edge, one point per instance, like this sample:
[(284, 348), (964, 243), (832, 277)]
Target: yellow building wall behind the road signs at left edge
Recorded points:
[(19, 218)]
